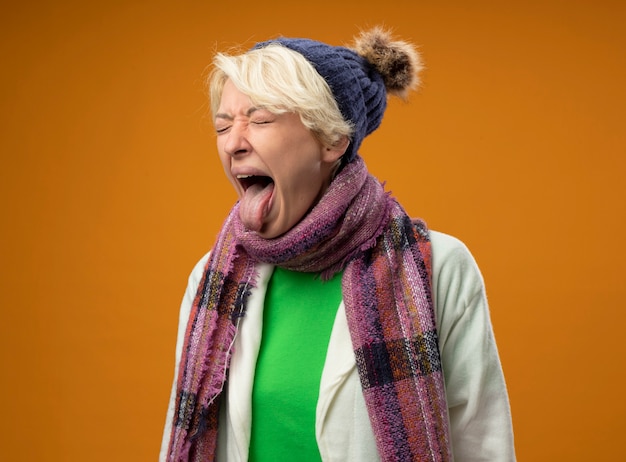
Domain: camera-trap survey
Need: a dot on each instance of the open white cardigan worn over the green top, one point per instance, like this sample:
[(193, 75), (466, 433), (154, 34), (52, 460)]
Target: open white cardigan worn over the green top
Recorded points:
[(478, 406)]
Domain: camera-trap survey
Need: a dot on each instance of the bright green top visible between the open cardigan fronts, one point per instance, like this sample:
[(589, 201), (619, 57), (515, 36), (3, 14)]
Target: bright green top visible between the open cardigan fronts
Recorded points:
[(298, 317)]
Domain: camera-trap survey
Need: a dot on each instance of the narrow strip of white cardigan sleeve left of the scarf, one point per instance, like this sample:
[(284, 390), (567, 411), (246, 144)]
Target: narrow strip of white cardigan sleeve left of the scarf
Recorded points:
[(185, 309)]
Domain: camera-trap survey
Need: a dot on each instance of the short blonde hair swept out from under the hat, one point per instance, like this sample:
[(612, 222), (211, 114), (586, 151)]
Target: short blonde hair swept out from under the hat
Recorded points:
[(281, 80)]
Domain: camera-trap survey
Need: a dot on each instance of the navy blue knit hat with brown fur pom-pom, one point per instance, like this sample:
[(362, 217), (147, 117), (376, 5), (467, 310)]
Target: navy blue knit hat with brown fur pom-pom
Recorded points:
[(360, 76)]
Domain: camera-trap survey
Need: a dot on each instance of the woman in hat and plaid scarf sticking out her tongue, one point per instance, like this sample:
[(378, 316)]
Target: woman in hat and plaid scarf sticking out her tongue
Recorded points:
[(325, 324)]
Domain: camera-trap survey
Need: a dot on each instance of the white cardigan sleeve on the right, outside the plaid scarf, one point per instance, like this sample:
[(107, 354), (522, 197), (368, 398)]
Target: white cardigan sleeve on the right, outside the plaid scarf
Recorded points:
[(478, 404)]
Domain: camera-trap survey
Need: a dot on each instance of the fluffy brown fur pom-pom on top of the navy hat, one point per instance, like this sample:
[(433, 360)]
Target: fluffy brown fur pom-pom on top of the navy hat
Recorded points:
[(397, 61)]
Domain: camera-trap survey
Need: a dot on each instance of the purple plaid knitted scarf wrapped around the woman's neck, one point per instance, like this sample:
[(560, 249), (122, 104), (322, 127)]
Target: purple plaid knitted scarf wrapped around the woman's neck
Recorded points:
[(386, 261)]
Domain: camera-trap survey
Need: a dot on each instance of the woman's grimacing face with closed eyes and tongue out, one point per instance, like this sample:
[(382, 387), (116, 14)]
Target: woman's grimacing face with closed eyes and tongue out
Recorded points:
[(277, 166)]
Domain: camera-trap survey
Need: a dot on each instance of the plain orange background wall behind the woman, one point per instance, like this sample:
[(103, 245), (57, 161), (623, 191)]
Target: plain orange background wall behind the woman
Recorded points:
[(111, 190)]
